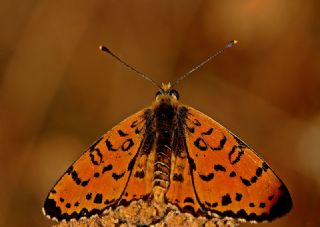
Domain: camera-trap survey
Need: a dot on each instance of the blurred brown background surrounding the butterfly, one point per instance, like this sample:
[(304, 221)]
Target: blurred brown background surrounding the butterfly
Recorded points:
[(58, 92)]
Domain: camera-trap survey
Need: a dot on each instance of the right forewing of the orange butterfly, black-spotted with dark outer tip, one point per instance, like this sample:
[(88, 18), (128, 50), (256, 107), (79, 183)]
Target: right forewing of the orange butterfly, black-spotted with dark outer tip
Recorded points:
[(229, 178)]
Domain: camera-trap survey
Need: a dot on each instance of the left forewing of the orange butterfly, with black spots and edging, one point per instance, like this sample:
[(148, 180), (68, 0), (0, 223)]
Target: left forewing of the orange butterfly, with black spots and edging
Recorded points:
[(98, 179)]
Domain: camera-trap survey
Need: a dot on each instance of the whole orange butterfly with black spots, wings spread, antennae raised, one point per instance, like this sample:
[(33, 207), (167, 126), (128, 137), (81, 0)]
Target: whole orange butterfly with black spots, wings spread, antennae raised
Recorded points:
[(170, 153)]
